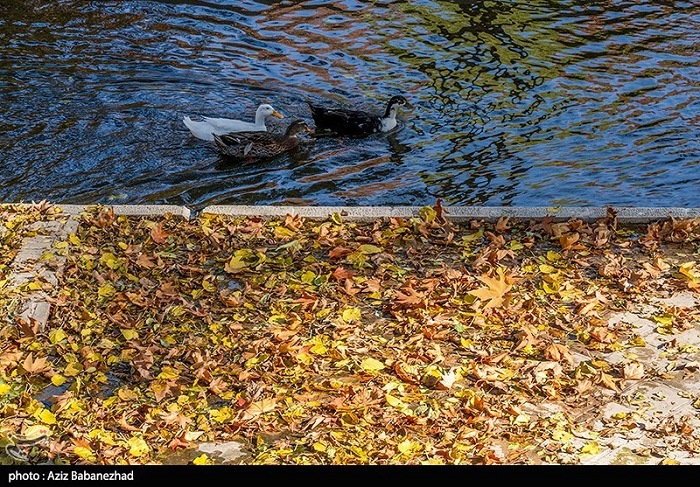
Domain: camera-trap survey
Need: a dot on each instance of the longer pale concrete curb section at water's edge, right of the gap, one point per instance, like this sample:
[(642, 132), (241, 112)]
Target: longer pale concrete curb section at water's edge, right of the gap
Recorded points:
[(456, 213)]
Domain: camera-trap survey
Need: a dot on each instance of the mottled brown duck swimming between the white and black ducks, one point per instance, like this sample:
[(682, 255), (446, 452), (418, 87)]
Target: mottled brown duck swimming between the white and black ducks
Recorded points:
[(260, 145)]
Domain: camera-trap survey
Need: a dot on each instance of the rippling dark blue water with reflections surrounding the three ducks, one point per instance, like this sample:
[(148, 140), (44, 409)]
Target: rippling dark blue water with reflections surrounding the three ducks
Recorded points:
[(514, 103)]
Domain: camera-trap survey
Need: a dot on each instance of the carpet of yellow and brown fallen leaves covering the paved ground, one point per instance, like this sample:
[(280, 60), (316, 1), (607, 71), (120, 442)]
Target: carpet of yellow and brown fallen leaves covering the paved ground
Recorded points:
[(398, 341)]
